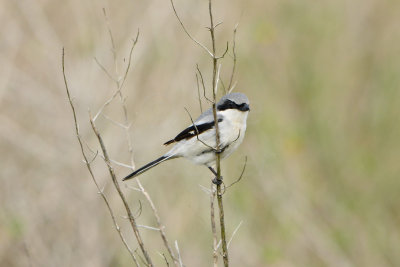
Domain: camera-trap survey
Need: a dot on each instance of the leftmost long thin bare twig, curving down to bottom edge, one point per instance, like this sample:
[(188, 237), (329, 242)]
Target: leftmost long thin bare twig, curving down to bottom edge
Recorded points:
[(100, 191)]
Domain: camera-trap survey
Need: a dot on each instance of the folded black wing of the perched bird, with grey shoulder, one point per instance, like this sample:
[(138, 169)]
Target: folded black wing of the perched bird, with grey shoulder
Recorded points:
[(203, 123)]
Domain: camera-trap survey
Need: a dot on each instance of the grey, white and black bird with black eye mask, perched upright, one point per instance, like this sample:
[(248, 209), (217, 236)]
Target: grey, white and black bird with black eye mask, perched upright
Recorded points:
[(197, 143)]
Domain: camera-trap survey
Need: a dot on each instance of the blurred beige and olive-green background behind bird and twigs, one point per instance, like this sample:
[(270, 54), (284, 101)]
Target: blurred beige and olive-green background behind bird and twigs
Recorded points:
[(321, 187)]
